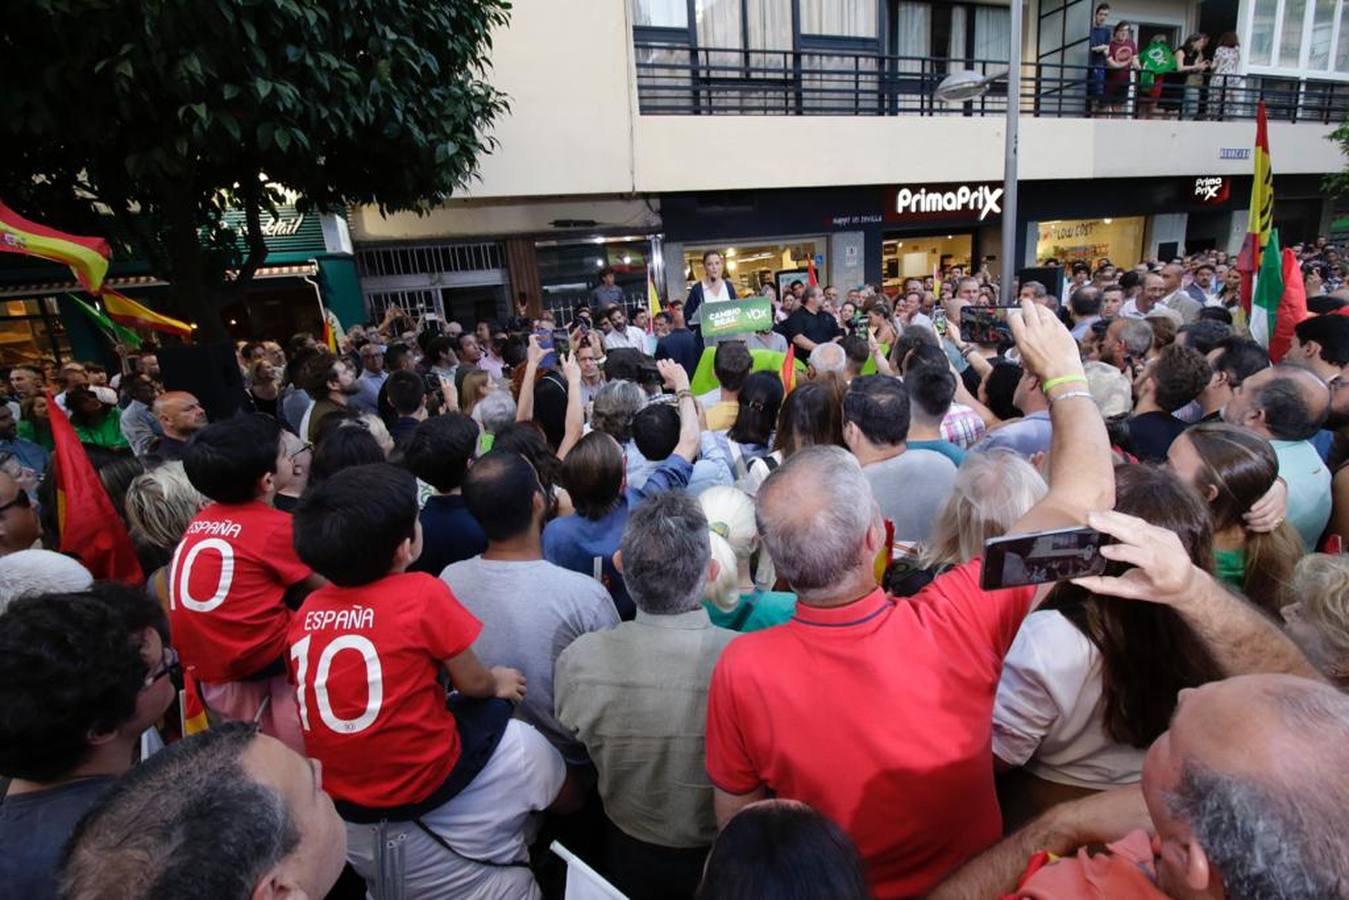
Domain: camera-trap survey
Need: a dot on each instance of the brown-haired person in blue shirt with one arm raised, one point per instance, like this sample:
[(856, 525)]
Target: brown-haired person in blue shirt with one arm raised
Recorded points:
[(594, 473)]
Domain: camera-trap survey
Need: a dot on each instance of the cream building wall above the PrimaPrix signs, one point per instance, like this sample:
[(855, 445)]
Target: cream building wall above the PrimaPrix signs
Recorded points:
[(573, 132)]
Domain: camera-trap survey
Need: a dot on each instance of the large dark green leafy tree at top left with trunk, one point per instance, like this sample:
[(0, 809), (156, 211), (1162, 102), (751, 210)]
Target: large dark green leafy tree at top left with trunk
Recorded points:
[(168, 113)]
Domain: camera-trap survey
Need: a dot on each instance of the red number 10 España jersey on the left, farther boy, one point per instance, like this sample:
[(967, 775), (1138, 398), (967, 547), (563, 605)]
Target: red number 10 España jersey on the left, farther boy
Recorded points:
[(226, 588)]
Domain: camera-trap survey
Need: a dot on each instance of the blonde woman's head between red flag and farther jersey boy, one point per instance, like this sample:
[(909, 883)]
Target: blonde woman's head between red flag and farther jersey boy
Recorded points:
[(160, 507)]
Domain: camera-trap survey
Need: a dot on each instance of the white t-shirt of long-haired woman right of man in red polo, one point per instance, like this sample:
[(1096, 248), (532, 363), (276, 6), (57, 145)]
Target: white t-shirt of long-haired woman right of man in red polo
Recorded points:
[(1050, 708)]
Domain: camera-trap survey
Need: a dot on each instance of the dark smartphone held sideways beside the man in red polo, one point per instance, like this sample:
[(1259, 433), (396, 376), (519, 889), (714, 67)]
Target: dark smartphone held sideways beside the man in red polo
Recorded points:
[(1042, 558)]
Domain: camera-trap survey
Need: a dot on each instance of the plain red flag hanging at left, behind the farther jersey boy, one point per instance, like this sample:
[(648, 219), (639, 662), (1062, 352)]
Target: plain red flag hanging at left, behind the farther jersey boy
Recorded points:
[(91, 527)]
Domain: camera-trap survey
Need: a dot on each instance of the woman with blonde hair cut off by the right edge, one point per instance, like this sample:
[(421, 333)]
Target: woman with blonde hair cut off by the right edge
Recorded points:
[(1317, 619)]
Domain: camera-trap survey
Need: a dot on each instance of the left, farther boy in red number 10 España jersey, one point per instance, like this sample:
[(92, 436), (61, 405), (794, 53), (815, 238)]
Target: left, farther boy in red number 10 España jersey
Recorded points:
[(231, 574)]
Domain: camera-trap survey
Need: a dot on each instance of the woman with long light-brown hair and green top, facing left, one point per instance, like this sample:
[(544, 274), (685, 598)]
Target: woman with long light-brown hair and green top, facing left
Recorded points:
[(1232, 469)]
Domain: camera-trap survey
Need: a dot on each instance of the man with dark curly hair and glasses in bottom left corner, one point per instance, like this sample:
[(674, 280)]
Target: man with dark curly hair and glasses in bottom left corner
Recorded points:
[(82, 678)]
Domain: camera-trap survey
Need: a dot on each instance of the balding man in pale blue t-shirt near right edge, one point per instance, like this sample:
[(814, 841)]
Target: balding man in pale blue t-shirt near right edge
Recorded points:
[(1288, 405)]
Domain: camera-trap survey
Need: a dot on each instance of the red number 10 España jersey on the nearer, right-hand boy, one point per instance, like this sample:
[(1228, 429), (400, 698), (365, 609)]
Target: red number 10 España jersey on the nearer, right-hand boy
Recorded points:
[(366, 663)]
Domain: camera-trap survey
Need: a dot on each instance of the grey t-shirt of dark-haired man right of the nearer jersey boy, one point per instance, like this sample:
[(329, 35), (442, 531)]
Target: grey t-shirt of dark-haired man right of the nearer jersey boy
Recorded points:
[(531, 613)]
